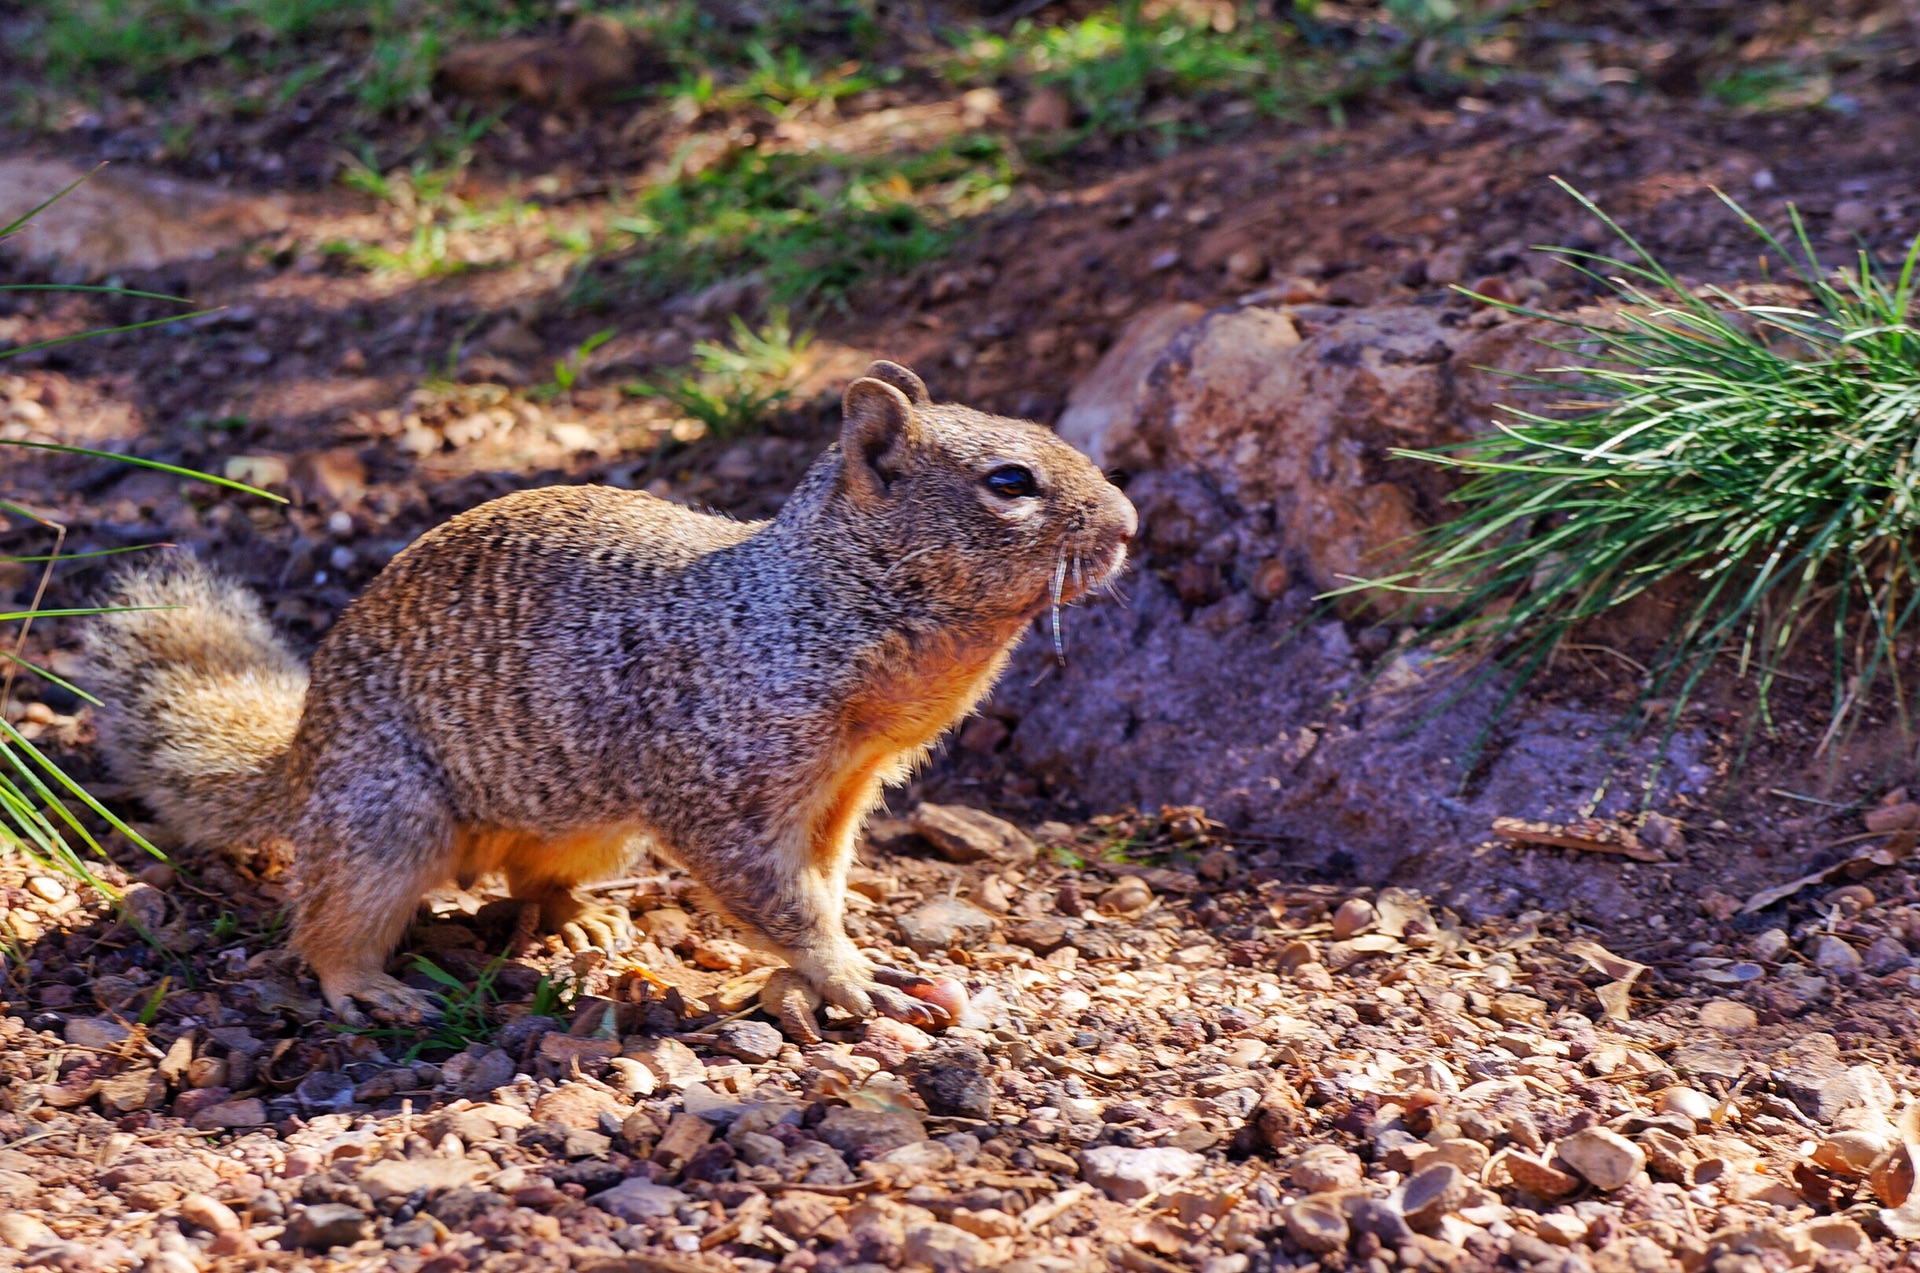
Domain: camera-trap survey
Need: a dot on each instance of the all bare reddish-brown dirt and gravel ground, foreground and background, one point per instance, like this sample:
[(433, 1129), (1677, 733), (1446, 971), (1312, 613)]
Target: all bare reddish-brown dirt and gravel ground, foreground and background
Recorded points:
[(1184, 1051)]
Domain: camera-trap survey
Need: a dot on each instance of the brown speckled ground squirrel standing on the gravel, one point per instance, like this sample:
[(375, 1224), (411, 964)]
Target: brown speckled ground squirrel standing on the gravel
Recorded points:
[(558, 679)]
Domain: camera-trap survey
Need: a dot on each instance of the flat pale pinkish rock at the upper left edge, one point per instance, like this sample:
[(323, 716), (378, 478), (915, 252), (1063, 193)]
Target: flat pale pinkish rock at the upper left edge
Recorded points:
[(124, 220)]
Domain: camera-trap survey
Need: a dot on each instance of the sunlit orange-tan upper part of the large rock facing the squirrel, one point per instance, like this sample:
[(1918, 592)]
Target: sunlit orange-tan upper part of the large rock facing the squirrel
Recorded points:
[(1291, 418)]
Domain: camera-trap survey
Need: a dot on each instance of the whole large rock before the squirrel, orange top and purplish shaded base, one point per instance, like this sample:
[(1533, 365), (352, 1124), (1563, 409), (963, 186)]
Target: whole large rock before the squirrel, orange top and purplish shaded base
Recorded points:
[(1260, 454)]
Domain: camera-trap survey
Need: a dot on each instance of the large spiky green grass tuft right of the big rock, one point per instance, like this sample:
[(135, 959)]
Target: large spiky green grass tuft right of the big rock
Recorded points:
[(1764, 454)]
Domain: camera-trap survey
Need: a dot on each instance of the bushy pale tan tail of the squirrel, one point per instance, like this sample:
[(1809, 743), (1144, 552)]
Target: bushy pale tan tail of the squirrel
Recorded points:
[(203, 702)]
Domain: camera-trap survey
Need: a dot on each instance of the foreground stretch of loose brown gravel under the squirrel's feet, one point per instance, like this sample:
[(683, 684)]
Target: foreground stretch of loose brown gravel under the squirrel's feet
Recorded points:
[(1172, 1057)]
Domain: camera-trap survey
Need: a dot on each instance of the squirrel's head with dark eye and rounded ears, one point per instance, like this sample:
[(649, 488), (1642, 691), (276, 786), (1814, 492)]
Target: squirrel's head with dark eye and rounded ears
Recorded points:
[(974, 516)]
